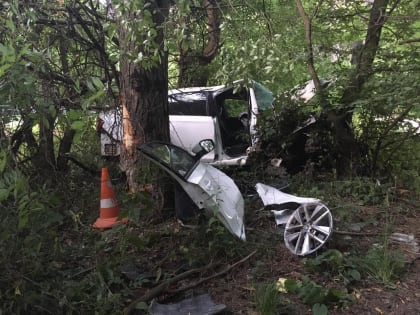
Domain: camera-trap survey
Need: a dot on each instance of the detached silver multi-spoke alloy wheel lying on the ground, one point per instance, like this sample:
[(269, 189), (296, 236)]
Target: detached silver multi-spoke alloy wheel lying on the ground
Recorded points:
[(308, 228)]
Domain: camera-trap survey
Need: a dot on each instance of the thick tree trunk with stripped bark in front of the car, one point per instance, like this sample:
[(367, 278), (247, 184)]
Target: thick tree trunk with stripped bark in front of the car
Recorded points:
[(144, 92)]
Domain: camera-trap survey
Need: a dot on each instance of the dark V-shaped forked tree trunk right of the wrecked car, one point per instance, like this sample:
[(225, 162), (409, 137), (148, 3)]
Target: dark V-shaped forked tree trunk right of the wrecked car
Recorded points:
[(345, 151)]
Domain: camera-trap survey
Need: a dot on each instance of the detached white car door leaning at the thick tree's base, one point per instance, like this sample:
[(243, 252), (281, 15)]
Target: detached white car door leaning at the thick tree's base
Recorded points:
[(208, 187)]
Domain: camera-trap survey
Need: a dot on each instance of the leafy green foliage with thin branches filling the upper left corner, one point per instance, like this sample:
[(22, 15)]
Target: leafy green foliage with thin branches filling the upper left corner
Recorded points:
[(47, 86)]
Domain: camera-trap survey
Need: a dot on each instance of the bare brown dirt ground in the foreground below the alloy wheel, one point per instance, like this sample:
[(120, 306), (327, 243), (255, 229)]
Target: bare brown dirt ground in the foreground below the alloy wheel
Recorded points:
[(236, 288)]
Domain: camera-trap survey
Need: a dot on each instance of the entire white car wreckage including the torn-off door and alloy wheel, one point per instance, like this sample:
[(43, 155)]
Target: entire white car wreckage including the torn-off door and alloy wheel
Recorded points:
[(226, 117)]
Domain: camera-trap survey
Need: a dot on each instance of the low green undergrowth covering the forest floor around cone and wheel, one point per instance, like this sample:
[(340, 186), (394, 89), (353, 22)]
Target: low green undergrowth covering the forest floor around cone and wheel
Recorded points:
[(53, 262)]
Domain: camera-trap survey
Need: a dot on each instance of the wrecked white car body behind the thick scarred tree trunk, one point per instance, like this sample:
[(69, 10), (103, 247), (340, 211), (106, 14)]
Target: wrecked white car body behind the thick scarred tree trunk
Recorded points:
[(225, 114)]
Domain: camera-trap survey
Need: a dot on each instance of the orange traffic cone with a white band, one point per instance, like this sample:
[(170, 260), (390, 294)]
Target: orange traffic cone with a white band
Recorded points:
[(109, 211)]
